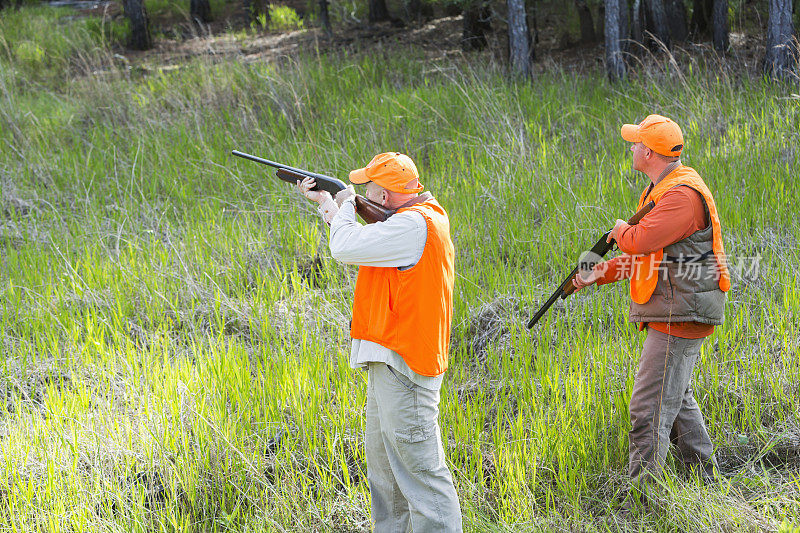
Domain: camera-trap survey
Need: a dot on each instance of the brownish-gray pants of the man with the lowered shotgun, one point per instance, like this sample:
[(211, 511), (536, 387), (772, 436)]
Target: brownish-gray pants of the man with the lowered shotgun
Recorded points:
[(663, 408)]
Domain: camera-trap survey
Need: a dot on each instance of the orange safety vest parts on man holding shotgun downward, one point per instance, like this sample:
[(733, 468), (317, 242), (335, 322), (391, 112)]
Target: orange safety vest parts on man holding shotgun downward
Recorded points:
[(645, 268)]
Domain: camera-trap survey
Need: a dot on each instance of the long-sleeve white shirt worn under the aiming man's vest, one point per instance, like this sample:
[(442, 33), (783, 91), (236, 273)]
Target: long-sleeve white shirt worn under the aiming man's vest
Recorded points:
[(396, 243)]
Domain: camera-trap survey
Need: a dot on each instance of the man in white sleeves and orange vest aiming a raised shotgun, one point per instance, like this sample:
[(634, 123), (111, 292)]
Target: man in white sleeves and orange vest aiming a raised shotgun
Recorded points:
[(401, 330)]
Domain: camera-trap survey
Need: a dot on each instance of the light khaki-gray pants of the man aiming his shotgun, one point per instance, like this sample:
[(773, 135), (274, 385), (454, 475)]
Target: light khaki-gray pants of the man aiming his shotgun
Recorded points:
[(409, 481)]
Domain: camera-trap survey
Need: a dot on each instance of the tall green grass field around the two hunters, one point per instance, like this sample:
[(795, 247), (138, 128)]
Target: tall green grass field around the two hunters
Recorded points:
[(174, 331)]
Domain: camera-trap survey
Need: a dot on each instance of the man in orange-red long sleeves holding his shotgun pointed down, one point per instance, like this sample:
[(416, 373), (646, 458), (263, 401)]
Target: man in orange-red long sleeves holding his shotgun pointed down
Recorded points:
[(678, 276)]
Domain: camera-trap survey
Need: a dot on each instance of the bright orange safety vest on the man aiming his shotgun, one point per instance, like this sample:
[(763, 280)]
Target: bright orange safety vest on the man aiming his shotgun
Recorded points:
[(409, 311)]
